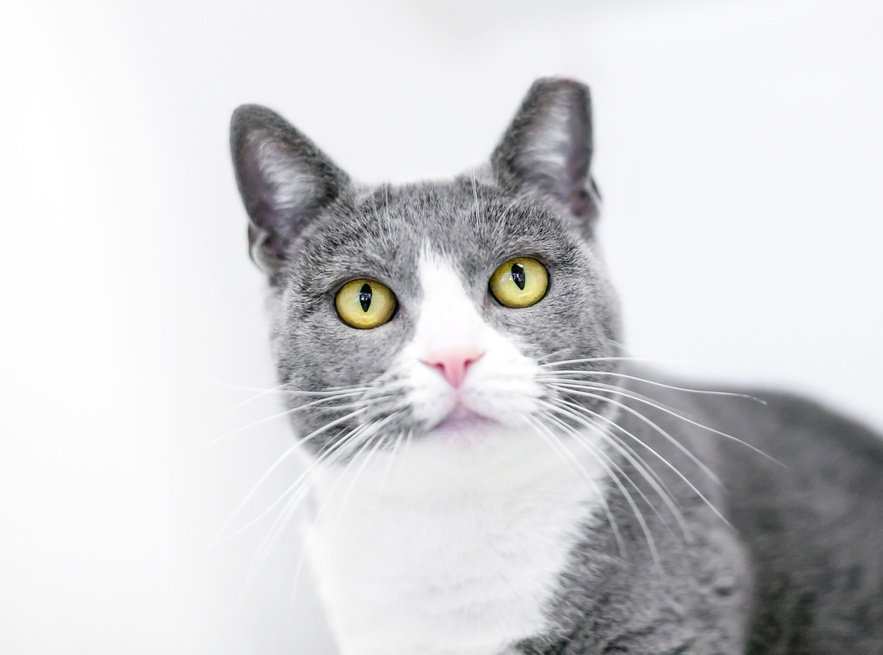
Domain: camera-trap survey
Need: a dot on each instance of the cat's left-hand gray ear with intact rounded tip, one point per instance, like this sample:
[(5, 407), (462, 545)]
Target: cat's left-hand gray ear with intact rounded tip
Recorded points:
[(285, 181)]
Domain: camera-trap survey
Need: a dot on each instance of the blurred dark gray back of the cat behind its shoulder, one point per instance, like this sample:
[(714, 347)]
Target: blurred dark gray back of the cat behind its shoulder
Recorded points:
[(809, 511)]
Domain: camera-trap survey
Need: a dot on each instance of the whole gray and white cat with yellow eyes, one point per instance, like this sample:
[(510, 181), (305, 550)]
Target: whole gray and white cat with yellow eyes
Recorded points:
[(490, 473)]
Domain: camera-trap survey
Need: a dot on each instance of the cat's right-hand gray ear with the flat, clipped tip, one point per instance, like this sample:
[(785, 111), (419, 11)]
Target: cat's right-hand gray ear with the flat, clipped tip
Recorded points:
[(547, 150)]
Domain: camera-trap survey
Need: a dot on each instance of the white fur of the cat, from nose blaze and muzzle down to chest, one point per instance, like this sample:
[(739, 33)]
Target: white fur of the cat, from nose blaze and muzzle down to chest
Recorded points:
[(455, 546)]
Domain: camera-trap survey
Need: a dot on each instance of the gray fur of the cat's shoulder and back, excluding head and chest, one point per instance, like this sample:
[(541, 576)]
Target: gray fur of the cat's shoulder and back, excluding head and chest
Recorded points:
[(799, 572)]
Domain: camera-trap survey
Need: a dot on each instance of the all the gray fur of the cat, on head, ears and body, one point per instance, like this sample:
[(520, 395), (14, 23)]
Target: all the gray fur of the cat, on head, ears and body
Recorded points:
[(796, 567)]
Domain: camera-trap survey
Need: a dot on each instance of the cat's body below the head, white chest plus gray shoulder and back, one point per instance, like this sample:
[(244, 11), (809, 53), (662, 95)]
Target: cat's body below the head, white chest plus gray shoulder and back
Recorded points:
[(799, 572)]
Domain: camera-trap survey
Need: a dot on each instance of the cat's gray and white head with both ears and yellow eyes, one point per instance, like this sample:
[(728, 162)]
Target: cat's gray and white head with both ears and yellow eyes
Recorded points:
[(432, 310)]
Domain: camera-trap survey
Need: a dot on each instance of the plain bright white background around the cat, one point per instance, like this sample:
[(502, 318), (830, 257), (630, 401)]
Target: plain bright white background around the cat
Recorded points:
[(738, 150)]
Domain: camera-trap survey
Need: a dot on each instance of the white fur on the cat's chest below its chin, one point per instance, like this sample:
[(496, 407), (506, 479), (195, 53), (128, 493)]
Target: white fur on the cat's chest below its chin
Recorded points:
[(448, 550)]
